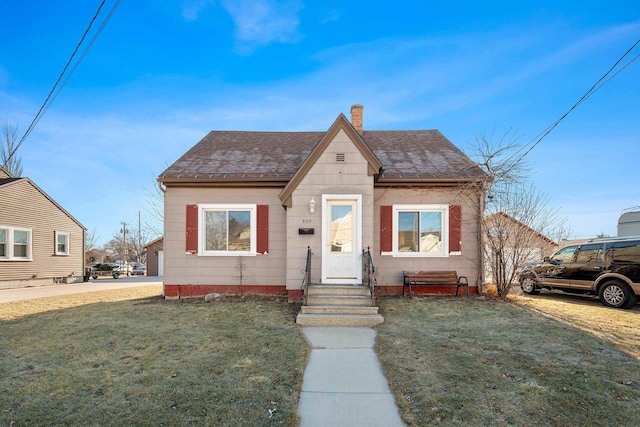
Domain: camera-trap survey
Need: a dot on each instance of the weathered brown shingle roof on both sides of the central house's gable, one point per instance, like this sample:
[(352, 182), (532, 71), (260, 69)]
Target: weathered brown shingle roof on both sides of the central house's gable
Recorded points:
[(277, 156)]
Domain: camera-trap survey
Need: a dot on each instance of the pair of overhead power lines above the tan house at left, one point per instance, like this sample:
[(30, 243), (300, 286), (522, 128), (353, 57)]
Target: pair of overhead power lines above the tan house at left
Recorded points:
[(64, 76)]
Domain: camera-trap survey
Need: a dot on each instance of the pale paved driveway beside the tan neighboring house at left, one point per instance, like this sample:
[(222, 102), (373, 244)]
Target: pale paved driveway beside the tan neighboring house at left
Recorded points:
[(20, 294)]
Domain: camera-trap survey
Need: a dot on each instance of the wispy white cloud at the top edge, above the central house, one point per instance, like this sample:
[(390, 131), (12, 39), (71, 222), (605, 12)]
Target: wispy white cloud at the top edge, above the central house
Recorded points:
[(261, 22)]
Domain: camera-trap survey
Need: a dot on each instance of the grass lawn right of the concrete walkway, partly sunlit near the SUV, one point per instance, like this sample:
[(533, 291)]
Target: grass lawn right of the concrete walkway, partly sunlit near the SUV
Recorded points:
[(544, 360)]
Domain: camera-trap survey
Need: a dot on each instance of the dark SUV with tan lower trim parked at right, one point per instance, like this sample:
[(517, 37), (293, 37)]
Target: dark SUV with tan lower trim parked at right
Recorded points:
[(609, 268)]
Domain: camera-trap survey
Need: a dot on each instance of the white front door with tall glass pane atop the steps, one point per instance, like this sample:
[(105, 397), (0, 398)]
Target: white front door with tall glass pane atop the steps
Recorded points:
[(341, 238)]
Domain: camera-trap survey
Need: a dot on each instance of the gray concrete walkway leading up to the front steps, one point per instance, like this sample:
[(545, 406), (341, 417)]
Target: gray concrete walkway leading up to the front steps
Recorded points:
[(343, 384)]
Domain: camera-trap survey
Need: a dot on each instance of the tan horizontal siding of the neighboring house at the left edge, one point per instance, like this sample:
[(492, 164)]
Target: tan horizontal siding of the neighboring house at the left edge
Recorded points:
[(23, 205)]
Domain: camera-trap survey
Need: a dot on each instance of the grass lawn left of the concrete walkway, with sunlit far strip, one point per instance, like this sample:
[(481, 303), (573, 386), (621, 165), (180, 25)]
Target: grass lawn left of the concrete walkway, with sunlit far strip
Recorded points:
[(107, 359)]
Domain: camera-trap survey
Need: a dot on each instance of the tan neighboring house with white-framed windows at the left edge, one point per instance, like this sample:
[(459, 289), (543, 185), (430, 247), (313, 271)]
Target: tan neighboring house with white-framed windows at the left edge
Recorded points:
[(40, 242)]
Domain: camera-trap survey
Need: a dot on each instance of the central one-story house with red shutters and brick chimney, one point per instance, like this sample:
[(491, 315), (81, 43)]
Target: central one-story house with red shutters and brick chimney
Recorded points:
[(241, 209)]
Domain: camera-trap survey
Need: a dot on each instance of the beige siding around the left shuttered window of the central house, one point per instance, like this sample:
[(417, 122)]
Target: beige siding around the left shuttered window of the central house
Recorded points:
[(181, 268)]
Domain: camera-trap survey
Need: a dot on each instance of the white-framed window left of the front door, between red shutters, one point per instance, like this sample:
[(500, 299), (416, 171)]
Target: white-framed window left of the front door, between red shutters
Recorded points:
[(227, 229)]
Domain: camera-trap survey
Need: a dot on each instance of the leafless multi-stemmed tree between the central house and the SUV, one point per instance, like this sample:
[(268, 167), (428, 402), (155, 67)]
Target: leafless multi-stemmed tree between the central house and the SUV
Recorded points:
[(516, 215)]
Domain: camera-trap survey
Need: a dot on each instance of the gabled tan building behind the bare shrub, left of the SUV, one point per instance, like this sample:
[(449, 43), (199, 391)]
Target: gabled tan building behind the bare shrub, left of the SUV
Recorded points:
[(519, 244)]
